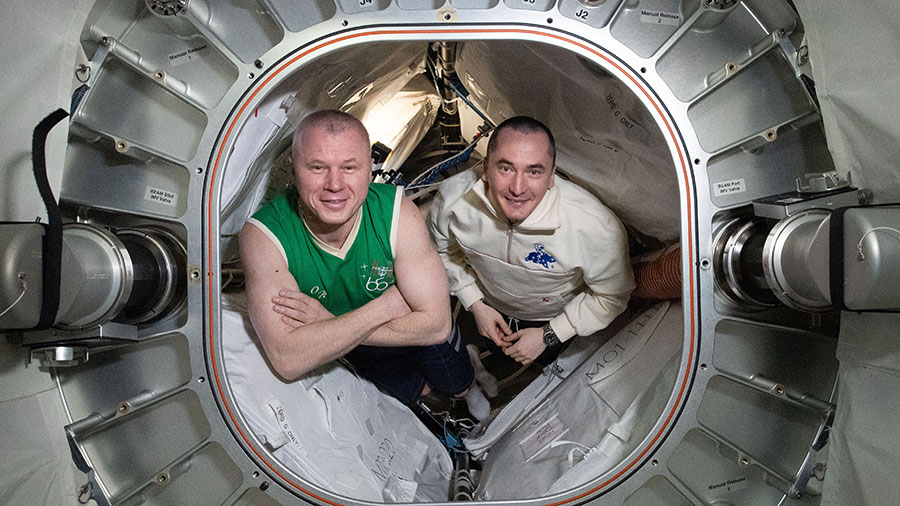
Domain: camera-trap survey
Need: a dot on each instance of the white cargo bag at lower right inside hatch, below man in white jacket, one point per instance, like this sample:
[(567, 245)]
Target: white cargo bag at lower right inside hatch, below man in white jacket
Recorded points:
[(575, 425)]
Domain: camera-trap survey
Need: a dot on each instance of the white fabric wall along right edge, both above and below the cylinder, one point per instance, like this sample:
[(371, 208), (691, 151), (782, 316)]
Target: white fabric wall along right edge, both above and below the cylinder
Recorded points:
[(853, 49)]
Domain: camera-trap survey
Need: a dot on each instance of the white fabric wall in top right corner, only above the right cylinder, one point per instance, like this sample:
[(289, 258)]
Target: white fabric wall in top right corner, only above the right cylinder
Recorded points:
[(854, 48)]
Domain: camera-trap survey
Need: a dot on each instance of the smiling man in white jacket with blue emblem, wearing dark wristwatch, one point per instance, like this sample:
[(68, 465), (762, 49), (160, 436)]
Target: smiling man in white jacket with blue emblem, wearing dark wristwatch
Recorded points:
[(523, 246)]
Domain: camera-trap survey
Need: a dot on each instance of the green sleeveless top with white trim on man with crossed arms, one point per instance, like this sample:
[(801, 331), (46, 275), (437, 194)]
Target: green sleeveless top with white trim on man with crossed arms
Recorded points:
[(340, 284)]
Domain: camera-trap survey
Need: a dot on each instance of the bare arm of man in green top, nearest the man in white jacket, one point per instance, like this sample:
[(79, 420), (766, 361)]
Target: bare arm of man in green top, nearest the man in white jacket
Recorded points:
[(422, 281)]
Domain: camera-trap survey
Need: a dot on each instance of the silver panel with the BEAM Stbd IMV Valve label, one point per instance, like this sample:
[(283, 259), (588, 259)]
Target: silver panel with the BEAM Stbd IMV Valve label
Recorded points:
[(154, 187)]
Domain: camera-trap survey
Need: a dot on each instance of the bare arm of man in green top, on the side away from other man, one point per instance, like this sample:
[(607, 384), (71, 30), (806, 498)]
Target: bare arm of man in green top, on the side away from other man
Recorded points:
[(293, 351)]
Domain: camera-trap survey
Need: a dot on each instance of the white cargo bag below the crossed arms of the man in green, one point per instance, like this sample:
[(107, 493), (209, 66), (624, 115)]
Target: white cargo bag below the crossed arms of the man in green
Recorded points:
[(332, 428)]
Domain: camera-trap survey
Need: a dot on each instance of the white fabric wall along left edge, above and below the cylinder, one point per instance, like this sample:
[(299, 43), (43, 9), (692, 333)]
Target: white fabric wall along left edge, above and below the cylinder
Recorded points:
[(38, 58)]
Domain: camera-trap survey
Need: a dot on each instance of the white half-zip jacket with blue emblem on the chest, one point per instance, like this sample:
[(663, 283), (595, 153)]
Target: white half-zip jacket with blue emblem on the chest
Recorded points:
[(567, 262)]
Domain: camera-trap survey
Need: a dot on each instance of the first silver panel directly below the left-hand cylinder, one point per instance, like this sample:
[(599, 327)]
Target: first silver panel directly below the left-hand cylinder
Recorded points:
[(116, 375)]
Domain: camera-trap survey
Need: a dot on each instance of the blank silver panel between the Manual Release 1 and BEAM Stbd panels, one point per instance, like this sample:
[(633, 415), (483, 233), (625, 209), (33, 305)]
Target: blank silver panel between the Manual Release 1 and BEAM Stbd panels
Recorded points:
[(128, 106)]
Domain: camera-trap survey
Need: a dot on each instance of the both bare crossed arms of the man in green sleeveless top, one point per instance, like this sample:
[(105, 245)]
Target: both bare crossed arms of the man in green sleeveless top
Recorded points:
[(298, 334)]
